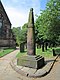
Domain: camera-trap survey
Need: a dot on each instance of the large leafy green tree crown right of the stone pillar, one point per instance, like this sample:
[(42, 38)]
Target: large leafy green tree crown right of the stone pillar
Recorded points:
[(48, 23)]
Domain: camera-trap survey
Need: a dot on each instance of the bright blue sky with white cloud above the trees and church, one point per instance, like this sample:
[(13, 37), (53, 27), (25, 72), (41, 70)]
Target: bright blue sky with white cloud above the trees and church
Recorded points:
[(18, 10)]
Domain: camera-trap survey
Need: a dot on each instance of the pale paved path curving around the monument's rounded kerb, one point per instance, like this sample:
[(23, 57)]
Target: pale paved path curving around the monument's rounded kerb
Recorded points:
[(7, 73)]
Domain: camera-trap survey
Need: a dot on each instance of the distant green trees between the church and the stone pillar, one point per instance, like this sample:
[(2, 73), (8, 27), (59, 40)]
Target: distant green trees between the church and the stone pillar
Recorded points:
[(20, 34)]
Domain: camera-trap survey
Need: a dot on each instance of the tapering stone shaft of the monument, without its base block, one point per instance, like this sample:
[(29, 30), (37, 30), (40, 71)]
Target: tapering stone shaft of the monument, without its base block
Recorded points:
[(31, 34)]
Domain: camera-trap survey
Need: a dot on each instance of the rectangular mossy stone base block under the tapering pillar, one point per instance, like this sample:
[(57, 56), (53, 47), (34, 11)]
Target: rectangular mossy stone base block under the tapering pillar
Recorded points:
[(31, 61)]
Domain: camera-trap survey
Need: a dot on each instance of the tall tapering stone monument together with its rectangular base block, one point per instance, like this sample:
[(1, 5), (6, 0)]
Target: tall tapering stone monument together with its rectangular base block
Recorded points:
[(31, 60)]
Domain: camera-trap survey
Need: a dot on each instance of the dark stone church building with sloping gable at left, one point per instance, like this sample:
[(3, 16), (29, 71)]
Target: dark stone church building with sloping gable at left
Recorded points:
[(6, 35)]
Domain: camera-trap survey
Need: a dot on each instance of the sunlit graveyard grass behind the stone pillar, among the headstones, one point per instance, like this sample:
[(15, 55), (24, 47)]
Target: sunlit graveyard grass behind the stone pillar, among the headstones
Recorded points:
[(46, 54)]
